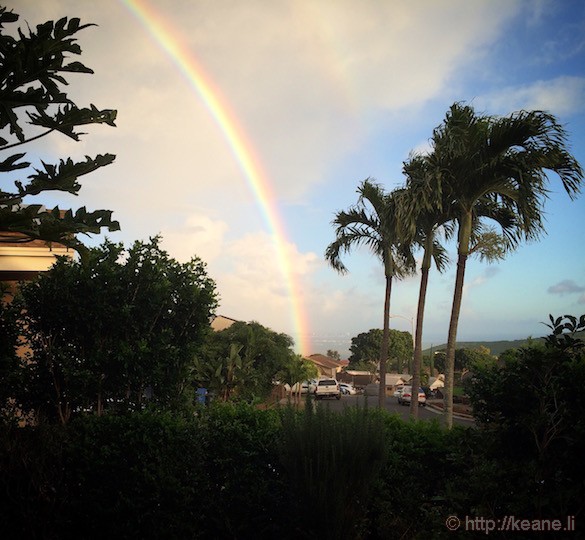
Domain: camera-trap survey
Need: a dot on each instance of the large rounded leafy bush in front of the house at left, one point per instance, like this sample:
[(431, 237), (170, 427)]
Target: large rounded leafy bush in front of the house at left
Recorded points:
[(117, 330)]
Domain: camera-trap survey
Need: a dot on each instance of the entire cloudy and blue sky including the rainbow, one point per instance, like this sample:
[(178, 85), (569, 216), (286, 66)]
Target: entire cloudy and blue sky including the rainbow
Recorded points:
[(244, 126)]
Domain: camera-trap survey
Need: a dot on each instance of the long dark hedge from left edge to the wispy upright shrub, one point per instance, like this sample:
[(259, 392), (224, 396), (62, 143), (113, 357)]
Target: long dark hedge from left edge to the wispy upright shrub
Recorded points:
[(143, 475)]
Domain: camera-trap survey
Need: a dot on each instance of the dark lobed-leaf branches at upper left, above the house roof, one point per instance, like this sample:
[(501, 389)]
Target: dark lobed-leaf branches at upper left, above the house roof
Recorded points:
[(33, 66)]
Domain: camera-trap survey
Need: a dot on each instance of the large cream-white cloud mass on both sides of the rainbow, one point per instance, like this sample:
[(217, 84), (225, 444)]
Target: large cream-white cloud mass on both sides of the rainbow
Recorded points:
[(313, 84)]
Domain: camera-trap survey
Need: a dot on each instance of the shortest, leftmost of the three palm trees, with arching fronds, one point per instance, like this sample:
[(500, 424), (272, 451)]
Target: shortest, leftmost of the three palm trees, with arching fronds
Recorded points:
[(372, 222)]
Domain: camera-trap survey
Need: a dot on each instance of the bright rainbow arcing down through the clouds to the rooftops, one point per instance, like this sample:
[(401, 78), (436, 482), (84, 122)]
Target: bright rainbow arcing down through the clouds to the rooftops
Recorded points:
[(167, 39)]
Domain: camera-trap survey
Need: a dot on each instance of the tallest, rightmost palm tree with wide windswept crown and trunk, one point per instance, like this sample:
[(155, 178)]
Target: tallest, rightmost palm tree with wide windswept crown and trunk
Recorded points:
[(496, 168)]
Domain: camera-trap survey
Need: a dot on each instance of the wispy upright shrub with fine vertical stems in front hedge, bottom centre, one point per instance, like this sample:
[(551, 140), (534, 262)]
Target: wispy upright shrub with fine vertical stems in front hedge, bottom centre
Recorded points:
[(332, 460)]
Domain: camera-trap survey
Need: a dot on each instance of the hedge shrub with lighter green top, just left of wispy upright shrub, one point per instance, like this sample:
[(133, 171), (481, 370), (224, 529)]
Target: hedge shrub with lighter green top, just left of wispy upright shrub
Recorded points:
[(245, 492)]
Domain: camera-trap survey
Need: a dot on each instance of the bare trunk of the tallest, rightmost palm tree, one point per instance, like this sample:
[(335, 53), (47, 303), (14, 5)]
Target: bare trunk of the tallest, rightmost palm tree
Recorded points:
[(463, 249)]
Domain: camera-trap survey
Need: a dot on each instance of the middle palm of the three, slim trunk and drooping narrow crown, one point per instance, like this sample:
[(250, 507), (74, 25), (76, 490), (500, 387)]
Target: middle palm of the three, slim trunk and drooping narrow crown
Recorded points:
[(422, 219)]
